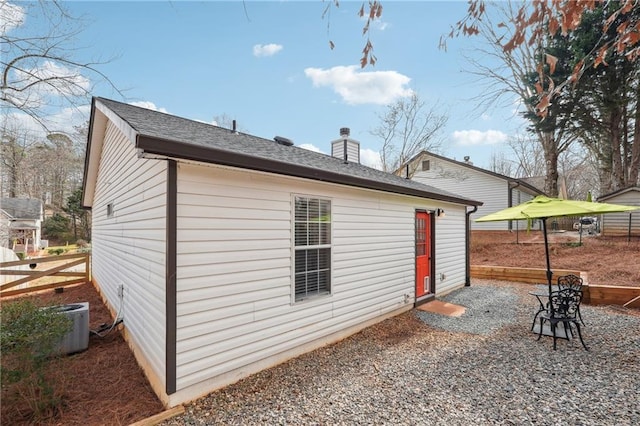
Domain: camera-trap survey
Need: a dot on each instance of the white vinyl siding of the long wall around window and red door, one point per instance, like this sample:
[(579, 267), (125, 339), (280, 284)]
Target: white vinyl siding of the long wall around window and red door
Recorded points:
[(235, 268)]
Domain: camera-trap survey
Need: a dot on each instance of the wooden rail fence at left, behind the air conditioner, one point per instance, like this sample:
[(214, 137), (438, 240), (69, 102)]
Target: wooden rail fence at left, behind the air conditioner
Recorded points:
[(39, 277)]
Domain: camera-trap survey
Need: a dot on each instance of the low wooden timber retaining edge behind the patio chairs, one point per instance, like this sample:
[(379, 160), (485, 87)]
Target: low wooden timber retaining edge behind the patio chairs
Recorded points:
[(629, 297)]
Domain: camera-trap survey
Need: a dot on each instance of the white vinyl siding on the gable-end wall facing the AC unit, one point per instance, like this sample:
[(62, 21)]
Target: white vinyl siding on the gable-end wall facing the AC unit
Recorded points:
[(128, 247)]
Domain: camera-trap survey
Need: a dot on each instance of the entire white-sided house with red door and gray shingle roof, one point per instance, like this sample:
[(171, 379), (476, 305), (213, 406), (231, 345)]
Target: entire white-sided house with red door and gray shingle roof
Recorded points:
[(232, 253)]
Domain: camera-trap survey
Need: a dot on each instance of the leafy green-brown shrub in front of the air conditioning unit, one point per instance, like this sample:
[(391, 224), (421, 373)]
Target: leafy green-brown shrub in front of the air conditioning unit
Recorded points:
[(30, 337)]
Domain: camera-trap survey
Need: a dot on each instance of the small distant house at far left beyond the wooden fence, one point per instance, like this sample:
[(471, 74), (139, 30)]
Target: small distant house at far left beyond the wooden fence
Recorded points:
[(21, 224)]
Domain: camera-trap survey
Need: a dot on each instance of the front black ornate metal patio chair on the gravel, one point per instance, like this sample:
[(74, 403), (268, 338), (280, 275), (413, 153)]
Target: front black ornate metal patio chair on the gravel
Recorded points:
[(563, 309)]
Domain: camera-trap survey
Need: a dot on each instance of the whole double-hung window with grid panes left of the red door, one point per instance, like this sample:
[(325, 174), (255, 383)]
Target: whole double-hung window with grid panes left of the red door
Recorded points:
[(312, 242)]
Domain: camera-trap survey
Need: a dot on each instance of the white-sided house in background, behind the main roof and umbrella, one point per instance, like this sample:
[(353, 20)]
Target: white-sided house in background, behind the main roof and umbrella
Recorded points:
[(496, 191)]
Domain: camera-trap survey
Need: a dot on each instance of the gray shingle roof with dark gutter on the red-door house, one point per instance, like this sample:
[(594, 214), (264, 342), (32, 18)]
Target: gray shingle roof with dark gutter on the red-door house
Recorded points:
[(167, 135)]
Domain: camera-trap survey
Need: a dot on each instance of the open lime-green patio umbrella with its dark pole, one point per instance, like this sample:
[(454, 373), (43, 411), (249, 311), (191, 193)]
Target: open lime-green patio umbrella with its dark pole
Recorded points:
[(543, 208)]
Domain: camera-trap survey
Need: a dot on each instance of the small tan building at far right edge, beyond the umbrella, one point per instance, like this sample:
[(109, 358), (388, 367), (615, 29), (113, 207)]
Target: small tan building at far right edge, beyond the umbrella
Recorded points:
[(621, 224)]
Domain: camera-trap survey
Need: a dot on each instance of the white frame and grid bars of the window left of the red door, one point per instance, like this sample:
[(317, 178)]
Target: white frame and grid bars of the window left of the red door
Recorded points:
[(295, 249)]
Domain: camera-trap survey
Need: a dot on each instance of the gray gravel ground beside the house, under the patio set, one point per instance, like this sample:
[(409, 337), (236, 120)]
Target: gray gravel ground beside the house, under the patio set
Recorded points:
[(419, 368)]
